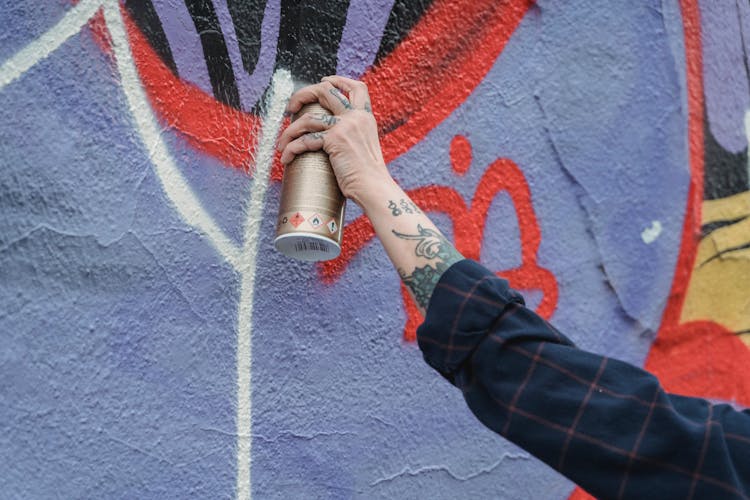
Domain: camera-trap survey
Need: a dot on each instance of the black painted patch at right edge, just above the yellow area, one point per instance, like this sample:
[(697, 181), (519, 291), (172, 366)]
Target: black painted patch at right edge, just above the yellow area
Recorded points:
[(725, 173)]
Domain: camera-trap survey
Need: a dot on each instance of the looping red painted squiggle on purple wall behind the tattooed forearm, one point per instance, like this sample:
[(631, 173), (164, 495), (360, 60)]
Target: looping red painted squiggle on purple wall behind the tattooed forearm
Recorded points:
[(468, 230)]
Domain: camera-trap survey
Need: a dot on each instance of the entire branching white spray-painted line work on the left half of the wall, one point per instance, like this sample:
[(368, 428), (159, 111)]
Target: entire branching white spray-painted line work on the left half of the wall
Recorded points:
[(177, 189)]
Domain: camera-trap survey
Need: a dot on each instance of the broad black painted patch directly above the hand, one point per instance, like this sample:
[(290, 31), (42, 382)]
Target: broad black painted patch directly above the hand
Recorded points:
[(309, 37)]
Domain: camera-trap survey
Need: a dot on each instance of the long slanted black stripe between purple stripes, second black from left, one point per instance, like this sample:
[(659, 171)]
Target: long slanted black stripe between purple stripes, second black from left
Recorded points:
[(215, 51)]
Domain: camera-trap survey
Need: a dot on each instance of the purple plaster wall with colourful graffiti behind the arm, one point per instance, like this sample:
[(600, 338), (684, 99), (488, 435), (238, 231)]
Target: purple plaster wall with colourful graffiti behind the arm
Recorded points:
[(154, 345)]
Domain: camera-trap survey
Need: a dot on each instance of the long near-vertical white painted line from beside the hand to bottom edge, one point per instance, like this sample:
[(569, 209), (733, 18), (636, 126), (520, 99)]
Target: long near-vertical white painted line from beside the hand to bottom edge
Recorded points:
[(281, 89)]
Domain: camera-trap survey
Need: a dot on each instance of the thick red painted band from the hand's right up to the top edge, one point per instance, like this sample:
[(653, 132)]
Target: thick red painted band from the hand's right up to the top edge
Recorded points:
[(437, 66)]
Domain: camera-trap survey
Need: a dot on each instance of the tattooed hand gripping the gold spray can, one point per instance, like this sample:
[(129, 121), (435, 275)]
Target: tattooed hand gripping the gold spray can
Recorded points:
[(349, 136)]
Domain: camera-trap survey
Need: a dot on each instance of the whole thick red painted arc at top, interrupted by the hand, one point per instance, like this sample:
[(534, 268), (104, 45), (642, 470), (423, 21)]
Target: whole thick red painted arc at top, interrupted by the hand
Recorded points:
[(432, 71)]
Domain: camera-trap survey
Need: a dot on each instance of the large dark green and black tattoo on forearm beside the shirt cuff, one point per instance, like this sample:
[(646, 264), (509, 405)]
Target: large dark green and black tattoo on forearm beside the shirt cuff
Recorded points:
[(434, 247)]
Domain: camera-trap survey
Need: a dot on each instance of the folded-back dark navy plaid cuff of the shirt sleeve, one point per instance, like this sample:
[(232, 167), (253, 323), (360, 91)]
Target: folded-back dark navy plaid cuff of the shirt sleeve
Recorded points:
[(464, 306)]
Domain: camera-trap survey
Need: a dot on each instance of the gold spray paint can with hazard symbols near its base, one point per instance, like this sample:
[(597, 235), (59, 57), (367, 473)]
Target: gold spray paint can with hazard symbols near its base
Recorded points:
[(311, 211)]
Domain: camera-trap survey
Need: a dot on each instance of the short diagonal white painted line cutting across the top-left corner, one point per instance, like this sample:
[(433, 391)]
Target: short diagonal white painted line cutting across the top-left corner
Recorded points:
[(71, 23)]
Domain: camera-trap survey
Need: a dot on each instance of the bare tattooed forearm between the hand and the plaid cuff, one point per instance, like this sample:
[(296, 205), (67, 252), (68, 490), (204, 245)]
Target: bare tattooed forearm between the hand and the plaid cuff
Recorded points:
[(416, 247)]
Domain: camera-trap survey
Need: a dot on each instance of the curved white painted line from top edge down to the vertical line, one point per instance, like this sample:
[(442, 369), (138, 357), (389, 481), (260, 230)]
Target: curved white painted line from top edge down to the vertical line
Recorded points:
[(174, 184)]
